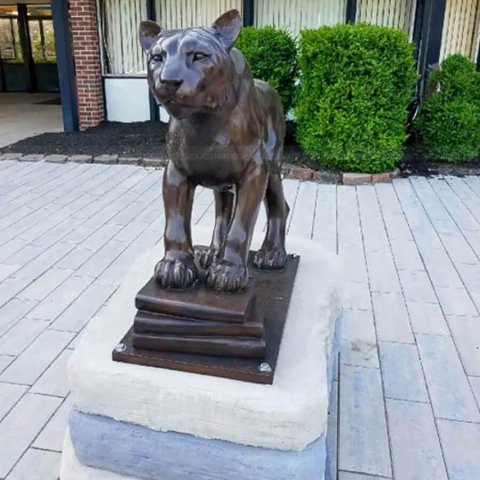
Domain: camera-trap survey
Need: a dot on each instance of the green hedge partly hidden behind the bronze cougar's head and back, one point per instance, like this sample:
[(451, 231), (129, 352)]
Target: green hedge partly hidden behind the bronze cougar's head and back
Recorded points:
[(272, 55)]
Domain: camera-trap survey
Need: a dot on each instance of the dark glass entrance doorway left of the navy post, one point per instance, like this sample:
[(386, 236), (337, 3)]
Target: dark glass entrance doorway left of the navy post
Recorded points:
[(27, 49)]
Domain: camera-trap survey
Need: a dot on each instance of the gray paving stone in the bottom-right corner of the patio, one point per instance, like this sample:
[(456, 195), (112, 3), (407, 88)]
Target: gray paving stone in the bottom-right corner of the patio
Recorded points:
[(461, 444)]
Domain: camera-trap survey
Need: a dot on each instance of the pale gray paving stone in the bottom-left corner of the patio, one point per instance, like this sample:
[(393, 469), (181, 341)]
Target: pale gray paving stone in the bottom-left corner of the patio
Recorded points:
[(20, 427)]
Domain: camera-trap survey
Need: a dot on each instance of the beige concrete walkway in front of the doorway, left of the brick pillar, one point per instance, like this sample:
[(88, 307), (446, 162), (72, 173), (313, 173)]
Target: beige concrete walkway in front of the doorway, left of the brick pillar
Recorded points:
[(21, 116)]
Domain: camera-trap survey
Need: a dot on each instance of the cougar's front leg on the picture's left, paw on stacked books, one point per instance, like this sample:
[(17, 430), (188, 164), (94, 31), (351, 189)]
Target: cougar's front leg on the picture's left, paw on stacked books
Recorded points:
[(177, 268)]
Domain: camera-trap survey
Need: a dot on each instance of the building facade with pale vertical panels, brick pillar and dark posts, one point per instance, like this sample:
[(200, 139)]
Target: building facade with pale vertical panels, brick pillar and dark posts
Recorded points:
[(101, 67)]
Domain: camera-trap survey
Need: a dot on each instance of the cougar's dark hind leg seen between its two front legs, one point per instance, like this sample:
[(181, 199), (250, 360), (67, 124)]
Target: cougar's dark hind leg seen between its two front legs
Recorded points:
[(223, 216)]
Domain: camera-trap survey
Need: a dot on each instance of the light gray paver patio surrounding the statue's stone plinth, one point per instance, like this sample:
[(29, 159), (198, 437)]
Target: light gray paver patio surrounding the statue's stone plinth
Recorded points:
[(409, 380)]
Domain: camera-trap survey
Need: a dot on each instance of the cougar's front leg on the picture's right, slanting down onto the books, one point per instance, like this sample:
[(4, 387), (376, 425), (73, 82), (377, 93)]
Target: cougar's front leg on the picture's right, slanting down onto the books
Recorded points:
[(230, 272)]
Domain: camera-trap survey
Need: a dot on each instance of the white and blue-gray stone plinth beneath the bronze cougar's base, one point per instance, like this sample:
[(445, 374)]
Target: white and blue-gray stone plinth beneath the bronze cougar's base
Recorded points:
[(142, 422)]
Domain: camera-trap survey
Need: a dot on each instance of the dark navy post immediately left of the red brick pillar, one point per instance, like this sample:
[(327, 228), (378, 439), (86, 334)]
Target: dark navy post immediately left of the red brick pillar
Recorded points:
[(65, 67)]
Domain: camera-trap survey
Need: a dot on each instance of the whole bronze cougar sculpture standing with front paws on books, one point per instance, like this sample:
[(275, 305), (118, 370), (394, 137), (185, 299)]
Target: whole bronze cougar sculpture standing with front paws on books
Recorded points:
[(226, 132)]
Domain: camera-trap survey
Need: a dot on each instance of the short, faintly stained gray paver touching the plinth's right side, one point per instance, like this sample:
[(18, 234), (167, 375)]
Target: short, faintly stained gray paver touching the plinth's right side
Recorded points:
[(359, 342)]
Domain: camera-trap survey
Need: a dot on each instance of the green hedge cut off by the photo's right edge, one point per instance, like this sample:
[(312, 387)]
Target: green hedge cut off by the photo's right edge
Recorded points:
[(449, 122)]
